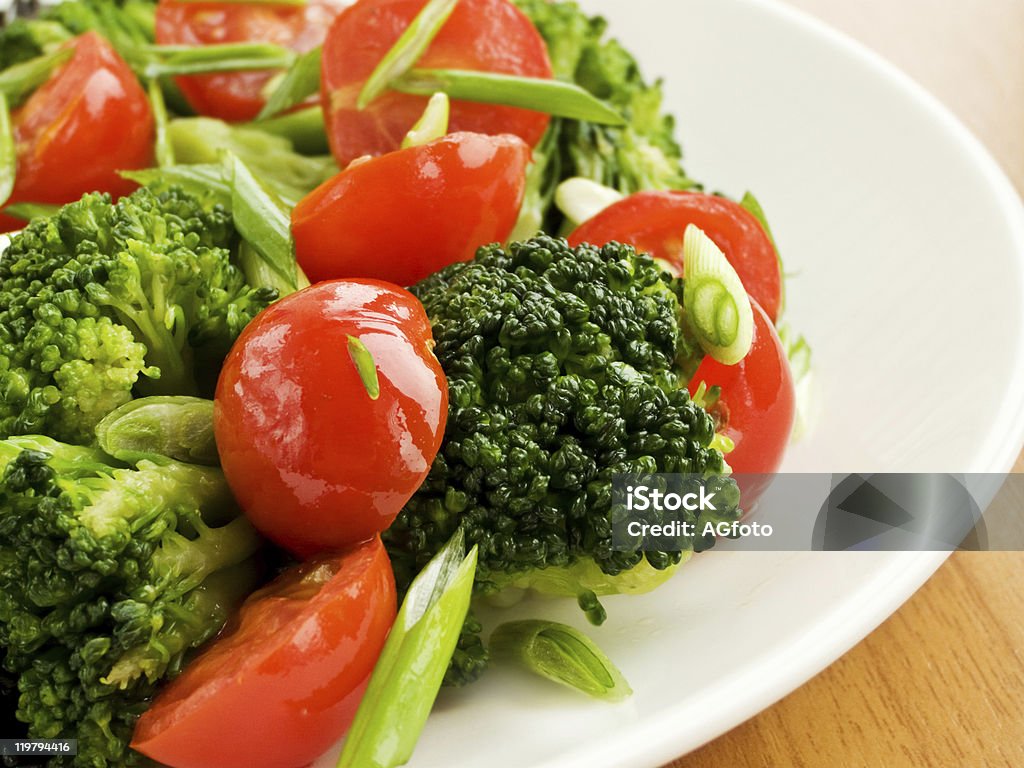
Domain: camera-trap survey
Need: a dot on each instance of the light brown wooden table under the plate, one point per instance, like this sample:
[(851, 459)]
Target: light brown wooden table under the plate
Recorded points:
[(942, 684)]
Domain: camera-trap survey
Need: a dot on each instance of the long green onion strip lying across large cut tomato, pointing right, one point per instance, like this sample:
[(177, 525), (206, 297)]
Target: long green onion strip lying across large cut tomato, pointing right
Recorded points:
[(541, 95)]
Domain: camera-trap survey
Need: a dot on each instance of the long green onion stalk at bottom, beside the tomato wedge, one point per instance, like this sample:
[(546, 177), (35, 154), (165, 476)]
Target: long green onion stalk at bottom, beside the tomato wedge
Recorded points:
[(411, 668)]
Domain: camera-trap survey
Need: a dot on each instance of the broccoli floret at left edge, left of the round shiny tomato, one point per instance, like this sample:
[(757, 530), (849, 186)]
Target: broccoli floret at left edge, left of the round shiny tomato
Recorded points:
[(102, 300)]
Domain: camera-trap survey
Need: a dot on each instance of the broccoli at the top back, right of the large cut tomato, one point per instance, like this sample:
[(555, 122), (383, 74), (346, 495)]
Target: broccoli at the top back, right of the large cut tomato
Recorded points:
[(643, 155)]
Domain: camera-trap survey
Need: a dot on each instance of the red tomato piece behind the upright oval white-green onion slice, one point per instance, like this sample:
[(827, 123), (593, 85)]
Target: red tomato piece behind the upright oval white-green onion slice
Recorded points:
[(656, 222)]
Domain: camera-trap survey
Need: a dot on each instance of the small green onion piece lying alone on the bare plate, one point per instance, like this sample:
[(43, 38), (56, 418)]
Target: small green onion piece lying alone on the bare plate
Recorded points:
[(561, 654)]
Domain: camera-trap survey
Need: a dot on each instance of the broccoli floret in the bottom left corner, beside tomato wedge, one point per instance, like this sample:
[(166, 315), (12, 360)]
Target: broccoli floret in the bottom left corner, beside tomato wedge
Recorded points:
[(110, 576)]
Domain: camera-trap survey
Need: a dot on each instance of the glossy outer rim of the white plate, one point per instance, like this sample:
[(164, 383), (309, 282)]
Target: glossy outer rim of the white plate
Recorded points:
[(669, 735)]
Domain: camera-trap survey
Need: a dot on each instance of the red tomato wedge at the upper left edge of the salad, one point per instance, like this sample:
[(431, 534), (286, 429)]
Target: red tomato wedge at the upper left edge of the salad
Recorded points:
[(76, 132)]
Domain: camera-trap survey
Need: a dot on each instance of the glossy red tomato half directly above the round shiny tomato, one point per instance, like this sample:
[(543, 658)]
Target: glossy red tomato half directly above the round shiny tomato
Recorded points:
[(409, 214)]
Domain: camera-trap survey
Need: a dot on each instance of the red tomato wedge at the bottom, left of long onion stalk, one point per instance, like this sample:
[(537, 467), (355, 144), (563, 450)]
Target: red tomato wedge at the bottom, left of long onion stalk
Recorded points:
[(282, 684)]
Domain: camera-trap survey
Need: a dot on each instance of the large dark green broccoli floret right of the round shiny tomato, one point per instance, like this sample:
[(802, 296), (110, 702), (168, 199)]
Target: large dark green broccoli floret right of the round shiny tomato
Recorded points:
[(566, 368)]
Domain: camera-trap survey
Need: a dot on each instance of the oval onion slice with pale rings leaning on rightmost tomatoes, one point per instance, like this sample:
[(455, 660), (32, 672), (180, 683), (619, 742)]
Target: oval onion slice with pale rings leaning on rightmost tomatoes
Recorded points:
[(717, 306)]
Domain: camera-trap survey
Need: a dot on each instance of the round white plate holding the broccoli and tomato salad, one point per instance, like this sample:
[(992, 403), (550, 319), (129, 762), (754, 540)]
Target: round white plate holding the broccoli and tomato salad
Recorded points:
[(908, 241)]
